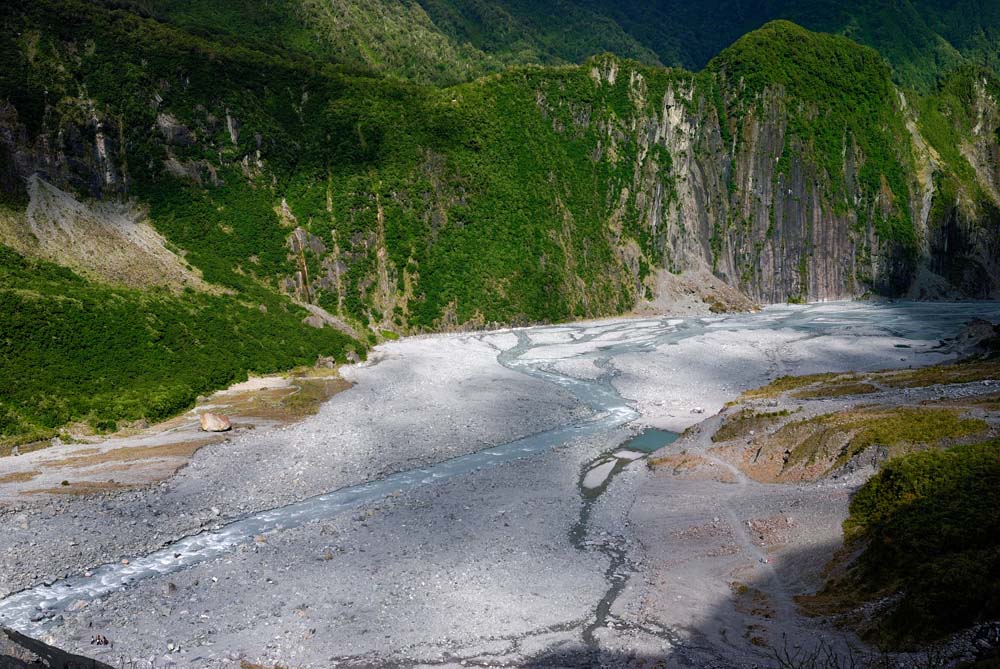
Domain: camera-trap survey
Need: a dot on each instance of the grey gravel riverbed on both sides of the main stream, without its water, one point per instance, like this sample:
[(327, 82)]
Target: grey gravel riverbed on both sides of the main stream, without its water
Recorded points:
[(483, 567)]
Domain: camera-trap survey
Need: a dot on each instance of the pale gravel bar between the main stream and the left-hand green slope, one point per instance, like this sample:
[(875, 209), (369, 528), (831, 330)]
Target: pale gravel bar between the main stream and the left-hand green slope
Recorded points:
[(418, 402)]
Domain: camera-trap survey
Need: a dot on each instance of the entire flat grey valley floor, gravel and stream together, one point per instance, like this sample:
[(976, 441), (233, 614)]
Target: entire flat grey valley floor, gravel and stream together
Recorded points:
[(489, 561)]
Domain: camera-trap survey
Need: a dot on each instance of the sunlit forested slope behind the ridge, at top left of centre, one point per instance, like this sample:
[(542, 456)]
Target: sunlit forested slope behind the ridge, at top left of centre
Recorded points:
[(432, 41)]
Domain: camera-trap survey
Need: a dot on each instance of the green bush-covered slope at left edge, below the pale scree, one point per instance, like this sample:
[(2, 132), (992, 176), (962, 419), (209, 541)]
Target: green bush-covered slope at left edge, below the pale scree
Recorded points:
[(75, 351)]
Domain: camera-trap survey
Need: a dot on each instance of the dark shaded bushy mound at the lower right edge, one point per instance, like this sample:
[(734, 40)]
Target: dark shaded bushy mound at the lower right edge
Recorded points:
[(932, 533)]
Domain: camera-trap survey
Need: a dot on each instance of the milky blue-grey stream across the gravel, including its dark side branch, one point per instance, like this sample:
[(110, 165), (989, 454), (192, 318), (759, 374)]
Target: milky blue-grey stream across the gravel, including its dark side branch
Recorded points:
[(34, 610)]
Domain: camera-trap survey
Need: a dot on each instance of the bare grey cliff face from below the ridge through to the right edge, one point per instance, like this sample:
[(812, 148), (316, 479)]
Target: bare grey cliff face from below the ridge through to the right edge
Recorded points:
[(747, 195)]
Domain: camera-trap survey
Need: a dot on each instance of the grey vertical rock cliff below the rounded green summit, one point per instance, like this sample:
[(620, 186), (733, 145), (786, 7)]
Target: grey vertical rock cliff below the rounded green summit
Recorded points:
[(775, 234)]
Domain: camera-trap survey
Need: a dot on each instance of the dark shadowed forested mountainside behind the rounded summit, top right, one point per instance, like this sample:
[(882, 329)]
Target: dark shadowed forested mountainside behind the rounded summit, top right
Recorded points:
[(923, 39)]
